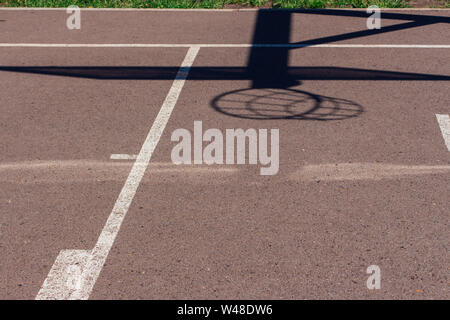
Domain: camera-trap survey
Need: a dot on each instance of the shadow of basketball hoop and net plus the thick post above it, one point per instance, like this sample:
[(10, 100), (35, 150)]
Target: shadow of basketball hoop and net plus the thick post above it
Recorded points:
[(271, 95)]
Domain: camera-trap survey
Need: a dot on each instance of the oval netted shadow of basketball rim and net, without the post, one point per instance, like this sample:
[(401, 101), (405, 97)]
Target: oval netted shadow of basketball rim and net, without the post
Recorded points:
[(284, 103)]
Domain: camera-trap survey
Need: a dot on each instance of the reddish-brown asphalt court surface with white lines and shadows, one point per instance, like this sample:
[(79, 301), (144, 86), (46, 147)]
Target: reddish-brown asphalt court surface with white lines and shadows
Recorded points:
[(364, 152)]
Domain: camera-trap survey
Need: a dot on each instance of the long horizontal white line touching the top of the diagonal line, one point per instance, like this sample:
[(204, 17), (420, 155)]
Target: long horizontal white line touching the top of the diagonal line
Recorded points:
[(219, 45)]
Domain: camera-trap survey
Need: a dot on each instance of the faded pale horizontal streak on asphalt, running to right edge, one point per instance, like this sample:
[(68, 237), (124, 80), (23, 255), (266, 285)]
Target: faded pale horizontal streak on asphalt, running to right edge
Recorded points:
[(365, 171)]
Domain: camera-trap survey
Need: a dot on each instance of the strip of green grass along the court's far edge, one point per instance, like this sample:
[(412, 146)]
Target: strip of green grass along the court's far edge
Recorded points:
[(208, 3)]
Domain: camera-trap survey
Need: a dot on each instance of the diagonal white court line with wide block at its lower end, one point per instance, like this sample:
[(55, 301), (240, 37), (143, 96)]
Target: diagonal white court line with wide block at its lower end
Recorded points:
[(74, 273)]
